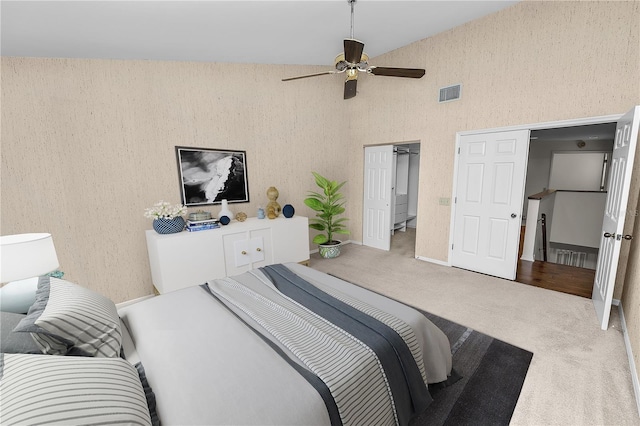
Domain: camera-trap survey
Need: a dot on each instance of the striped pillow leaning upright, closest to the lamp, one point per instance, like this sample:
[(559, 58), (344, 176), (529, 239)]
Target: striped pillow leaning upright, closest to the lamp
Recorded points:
[(69, 319)]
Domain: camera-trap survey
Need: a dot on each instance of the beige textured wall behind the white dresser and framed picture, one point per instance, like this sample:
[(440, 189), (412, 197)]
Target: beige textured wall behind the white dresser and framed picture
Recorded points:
[(88, 144)]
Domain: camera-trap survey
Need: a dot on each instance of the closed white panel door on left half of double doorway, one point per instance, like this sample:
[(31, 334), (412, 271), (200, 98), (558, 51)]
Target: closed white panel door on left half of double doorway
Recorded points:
[(488, 202)]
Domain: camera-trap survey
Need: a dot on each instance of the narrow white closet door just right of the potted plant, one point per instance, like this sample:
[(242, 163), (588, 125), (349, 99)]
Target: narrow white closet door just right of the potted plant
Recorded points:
[(378, 191)]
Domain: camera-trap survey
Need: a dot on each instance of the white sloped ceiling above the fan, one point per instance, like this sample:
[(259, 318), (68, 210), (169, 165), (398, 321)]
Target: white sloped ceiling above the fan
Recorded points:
[(273, 32)]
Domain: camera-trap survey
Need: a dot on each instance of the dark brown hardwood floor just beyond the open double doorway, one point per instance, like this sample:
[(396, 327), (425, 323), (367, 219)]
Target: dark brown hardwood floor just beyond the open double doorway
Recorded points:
[(552, 276)]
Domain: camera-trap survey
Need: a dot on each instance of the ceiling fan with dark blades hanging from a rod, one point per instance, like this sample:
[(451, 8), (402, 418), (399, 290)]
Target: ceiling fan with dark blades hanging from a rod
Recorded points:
[(353, 60)]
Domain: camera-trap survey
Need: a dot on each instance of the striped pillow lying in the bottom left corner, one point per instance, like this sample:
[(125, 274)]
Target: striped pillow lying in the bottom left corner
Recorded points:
[(40, 389)]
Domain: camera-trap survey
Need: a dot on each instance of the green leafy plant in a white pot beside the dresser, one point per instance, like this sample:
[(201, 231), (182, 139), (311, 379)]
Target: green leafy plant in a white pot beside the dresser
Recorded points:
[(329, 203)]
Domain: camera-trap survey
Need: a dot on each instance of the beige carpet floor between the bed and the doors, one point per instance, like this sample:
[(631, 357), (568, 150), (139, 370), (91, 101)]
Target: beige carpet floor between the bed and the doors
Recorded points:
[(579, 374)]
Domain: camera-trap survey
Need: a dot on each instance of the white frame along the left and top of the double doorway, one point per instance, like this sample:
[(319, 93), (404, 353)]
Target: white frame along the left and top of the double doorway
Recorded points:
[(535, 126)]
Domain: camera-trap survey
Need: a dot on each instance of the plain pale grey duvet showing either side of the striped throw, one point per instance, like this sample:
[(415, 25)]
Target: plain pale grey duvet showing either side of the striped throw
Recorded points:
[(207, 367)]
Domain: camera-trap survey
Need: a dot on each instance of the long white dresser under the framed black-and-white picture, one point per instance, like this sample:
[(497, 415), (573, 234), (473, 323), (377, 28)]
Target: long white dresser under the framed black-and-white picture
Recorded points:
[(191, 258)]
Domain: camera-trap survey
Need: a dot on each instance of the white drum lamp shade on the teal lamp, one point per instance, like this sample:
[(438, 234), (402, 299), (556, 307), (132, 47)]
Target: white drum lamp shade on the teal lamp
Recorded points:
[(26, 256)]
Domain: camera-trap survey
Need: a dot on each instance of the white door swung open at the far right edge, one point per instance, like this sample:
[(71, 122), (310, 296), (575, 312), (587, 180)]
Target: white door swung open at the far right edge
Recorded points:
[(615, 211)]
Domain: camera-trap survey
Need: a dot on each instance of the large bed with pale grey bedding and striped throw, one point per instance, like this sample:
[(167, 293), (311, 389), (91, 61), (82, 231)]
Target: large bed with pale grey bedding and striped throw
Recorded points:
[(284, 344)]
